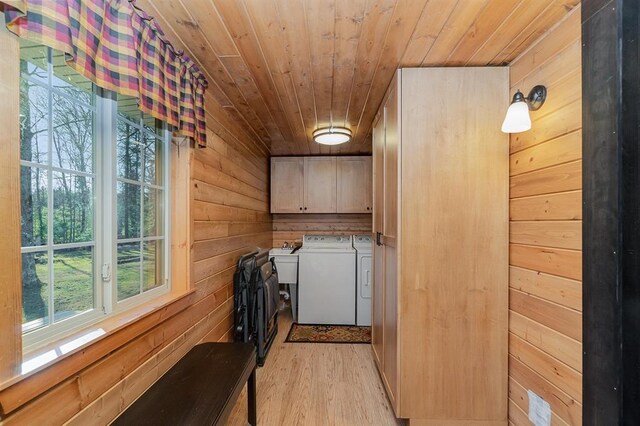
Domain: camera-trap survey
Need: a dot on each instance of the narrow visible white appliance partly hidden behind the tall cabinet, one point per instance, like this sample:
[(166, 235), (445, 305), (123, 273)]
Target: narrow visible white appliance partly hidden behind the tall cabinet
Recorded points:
[(363, 245)]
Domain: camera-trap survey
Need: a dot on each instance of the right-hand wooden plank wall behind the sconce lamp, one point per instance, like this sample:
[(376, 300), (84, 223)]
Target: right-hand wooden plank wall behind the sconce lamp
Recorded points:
[(545, 316)]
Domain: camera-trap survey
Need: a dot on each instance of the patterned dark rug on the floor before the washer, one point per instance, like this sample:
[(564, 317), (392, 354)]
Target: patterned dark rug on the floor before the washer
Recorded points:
[(305, 333)]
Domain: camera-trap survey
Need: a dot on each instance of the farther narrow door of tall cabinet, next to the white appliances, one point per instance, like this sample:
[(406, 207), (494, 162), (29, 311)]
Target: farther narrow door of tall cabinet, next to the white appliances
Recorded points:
[(377, 301)]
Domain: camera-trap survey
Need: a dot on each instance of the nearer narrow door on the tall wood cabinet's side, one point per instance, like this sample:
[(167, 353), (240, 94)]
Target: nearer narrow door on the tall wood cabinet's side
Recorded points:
[(390, 225)]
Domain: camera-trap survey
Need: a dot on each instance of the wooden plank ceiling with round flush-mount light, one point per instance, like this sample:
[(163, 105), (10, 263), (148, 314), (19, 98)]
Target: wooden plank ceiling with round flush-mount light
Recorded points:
[(285, 67)]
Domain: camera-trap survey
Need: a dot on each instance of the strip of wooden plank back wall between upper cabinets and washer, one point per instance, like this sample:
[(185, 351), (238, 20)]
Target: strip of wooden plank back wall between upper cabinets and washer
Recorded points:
[(292, 227)]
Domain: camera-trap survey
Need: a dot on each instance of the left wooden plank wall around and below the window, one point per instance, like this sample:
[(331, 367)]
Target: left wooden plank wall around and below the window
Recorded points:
[(230, 216)]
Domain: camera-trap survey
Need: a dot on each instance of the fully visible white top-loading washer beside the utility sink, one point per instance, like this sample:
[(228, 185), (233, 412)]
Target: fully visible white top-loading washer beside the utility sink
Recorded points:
[(326, 280)]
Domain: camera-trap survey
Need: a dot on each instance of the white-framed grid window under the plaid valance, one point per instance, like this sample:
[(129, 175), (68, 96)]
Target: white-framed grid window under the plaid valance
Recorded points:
[(94, 194)]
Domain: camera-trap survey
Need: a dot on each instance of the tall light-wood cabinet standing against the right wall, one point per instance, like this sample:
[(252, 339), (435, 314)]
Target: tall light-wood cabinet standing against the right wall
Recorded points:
[(440, 215)]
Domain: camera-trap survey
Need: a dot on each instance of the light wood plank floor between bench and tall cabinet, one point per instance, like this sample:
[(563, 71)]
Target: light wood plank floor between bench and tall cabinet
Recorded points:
[(317, 384)]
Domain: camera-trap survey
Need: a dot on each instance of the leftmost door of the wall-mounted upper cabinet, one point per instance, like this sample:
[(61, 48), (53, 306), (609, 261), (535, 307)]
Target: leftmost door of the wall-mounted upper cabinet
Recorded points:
[(287, 186)]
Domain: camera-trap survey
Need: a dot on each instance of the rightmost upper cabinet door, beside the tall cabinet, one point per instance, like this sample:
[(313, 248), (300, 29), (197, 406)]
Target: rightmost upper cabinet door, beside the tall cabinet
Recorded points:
[(354, 184)]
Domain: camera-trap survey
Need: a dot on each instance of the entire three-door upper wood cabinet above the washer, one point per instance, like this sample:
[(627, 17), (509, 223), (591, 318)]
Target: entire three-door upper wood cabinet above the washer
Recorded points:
[(321, 185)]
